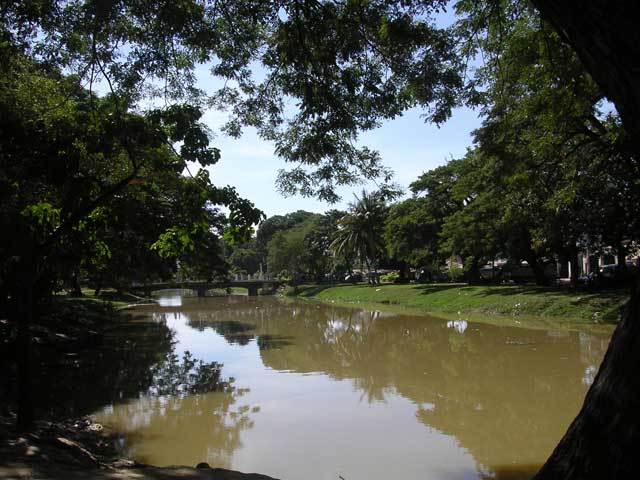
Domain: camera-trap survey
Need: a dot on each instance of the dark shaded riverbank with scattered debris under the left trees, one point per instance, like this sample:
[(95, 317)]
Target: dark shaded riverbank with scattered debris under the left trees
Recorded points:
[(58, 448)]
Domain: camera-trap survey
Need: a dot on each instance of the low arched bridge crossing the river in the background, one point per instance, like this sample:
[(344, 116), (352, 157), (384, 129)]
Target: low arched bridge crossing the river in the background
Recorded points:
[(251, 282)]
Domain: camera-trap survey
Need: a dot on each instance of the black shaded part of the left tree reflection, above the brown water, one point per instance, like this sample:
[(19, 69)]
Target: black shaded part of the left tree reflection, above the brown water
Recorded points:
[(135, 359)]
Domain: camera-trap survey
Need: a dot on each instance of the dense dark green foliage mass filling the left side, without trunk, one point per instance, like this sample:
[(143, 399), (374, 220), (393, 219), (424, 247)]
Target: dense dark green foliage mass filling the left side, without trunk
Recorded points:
[(89, 183)]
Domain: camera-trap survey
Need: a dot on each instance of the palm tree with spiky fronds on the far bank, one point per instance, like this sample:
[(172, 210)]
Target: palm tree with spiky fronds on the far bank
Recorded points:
[(359, 232)]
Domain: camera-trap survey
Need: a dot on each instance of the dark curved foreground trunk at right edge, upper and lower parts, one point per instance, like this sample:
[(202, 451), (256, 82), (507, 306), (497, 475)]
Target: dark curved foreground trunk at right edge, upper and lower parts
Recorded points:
[(602, 442)]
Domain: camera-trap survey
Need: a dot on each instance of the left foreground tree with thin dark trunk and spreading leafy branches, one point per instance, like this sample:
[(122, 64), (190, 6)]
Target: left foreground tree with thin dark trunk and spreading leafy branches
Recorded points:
[(89, 149)]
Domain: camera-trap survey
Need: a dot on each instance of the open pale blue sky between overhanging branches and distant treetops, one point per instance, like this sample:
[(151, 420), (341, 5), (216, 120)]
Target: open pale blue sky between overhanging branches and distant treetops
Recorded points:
[(407, 145)]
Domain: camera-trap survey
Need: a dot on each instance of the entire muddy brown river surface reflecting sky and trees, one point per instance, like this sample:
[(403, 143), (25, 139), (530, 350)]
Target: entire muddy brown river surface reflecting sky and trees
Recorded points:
[(321, 392)]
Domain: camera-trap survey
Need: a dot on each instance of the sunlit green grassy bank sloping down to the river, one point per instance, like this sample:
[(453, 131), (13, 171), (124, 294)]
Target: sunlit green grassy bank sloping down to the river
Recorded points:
[(516, 305)]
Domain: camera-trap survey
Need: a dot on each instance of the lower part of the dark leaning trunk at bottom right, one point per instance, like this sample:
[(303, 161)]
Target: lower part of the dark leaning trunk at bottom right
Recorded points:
[(602, 442)]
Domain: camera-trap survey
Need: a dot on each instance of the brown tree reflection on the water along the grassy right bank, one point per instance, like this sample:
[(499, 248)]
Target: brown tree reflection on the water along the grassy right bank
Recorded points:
[(505, 394)]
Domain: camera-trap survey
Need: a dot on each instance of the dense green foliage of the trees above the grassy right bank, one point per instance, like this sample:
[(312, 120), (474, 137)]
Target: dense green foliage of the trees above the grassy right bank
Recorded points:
[(549, 172)]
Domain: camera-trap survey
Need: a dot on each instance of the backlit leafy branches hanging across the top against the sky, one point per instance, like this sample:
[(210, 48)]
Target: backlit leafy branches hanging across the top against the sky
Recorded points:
[(346, 65)]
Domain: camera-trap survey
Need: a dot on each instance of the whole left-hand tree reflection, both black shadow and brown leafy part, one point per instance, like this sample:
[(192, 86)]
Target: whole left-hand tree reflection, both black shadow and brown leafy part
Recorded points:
[(136, 380)]
